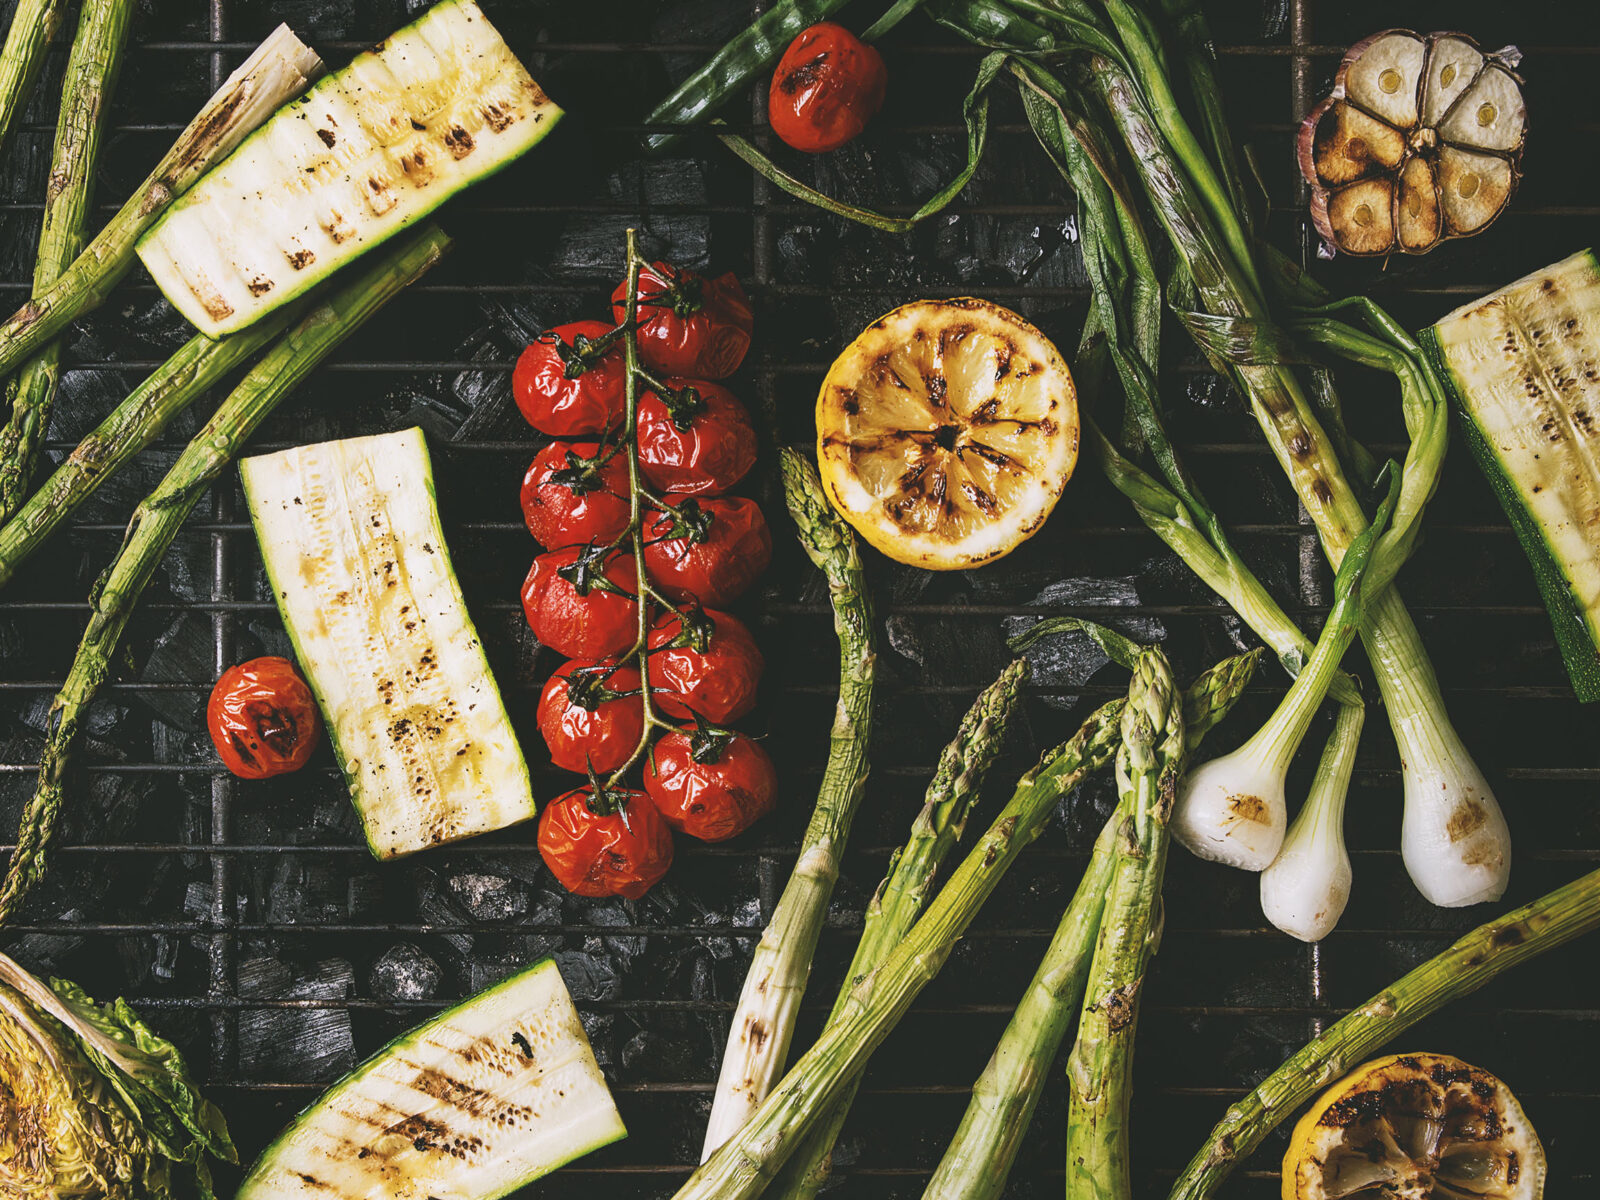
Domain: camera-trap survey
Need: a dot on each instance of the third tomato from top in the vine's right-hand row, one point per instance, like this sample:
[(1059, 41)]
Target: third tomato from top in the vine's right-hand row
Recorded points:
[(708, 550)]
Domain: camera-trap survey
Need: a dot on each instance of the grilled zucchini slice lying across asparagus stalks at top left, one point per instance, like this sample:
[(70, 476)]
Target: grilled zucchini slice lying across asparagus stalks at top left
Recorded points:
[(364, 154)]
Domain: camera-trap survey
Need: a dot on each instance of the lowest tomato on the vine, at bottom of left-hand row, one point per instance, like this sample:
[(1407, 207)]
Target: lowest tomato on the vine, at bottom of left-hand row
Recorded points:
[(606, 842)]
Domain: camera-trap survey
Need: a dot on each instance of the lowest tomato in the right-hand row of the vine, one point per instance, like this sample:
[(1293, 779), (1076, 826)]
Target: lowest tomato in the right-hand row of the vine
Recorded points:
[(711, 783)]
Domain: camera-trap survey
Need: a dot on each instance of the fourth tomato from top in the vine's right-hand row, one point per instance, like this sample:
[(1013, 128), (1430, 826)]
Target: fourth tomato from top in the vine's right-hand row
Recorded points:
[(706, 662)]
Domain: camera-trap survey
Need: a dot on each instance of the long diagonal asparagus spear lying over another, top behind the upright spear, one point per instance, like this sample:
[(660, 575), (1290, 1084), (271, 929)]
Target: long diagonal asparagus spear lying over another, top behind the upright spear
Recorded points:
[(806, 1097)]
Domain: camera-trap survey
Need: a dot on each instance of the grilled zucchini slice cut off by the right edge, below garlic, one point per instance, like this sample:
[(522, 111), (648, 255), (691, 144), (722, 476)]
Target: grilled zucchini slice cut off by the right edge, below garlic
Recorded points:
[(1524, 370)]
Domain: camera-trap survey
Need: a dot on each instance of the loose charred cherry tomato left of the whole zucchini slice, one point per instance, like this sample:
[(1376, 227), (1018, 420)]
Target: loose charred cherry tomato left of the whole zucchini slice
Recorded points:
[(263, 719)]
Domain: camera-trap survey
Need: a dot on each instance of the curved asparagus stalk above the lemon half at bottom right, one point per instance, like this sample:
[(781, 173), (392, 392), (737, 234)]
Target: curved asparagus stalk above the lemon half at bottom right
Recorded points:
[(1474, 961)]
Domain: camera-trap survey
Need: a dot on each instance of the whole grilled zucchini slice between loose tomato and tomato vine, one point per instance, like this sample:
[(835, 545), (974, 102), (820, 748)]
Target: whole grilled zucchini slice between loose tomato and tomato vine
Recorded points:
[(351, 538)]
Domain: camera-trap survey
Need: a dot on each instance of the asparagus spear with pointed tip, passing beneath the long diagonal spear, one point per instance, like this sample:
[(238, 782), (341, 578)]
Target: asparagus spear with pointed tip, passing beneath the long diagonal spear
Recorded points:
[(905, 890)]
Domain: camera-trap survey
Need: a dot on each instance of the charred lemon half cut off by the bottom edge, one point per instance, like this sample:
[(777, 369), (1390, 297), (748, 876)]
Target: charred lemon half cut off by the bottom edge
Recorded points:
[(1414, 1127)]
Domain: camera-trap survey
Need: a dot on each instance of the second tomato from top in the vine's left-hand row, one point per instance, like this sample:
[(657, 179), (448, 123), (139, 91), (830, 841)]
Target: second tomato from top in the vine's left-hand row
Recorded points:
[(570, 498)]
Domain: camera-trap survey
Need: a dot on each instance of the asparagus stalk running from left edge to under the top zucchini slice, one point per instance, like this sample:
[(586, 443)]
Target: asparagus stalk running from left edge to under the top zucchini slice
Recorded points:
[(129, 430)]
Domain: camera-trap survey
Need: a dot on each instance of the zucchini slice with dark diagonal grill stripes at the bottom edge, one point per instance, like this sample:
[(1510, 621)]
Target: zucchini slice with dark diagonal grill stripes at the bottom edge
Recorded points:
[(474, 1105)]
